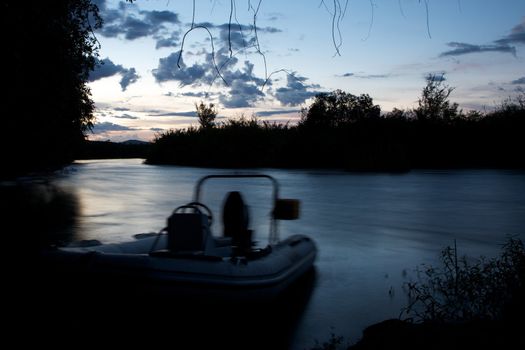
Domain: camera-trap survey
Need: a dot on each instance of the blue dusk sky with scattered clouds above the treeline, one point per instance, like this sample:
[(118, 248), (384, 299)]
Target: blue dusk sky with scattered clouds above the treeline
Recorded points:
[(274, 66)]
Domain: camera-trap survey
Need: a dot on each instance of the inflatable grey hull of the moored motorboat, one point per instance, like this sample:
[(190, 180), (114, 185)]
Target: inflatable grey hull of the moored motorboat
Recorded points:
[(260, 277)]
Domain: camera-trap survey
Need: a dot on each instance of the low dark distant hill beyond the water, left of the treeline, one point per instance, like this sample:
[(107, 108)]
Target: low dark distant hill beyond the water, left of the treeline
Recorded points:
[(108, 149)]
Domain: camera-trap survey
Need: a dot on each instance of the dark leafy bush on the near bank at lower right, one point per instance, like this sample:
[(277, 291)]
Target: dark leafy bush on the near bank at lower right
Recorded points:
[(460, 290)]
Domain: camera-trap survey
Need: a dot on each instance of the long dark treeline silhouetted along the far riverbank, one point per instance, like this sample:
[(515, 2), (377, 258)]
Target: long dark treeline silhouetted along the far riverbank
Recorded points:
[(340, 130)]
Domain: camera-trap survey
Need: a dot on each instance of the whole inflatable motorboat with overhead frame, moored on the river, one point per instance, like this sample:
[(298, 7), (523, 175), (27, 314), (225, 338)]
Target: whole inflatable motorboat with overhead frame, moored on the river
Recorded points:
[(186, 258)]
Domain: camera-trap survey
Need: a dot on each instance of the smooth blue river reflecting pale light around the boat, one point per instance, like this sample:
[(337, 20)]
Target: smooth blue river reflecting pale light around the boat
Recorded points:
[(372, 230)]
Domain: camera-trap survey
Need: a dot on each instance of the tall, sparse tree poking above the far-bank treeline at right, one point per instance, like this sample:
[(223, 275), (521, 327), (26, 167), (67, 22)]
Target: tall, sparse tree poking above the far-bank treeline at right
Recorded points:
[(434, 103)]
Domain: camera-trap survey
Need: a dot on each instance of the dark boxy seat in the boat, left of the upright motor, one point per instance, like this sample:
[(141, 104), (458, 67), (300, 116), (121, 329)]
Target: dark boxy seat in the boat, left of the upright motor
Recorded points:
[(188, 232)]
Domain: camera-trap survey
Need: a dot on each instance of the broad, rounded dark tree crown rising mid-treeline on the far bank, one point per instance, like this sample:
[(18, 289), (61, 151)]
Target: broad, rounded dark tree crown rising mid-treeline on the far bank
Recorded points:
[(337, 108)]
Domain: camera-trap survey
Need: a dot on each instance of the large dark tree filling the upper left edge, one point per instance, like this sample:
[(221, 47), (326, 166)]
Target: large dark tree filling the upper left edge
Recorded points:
[(50, 50)]
